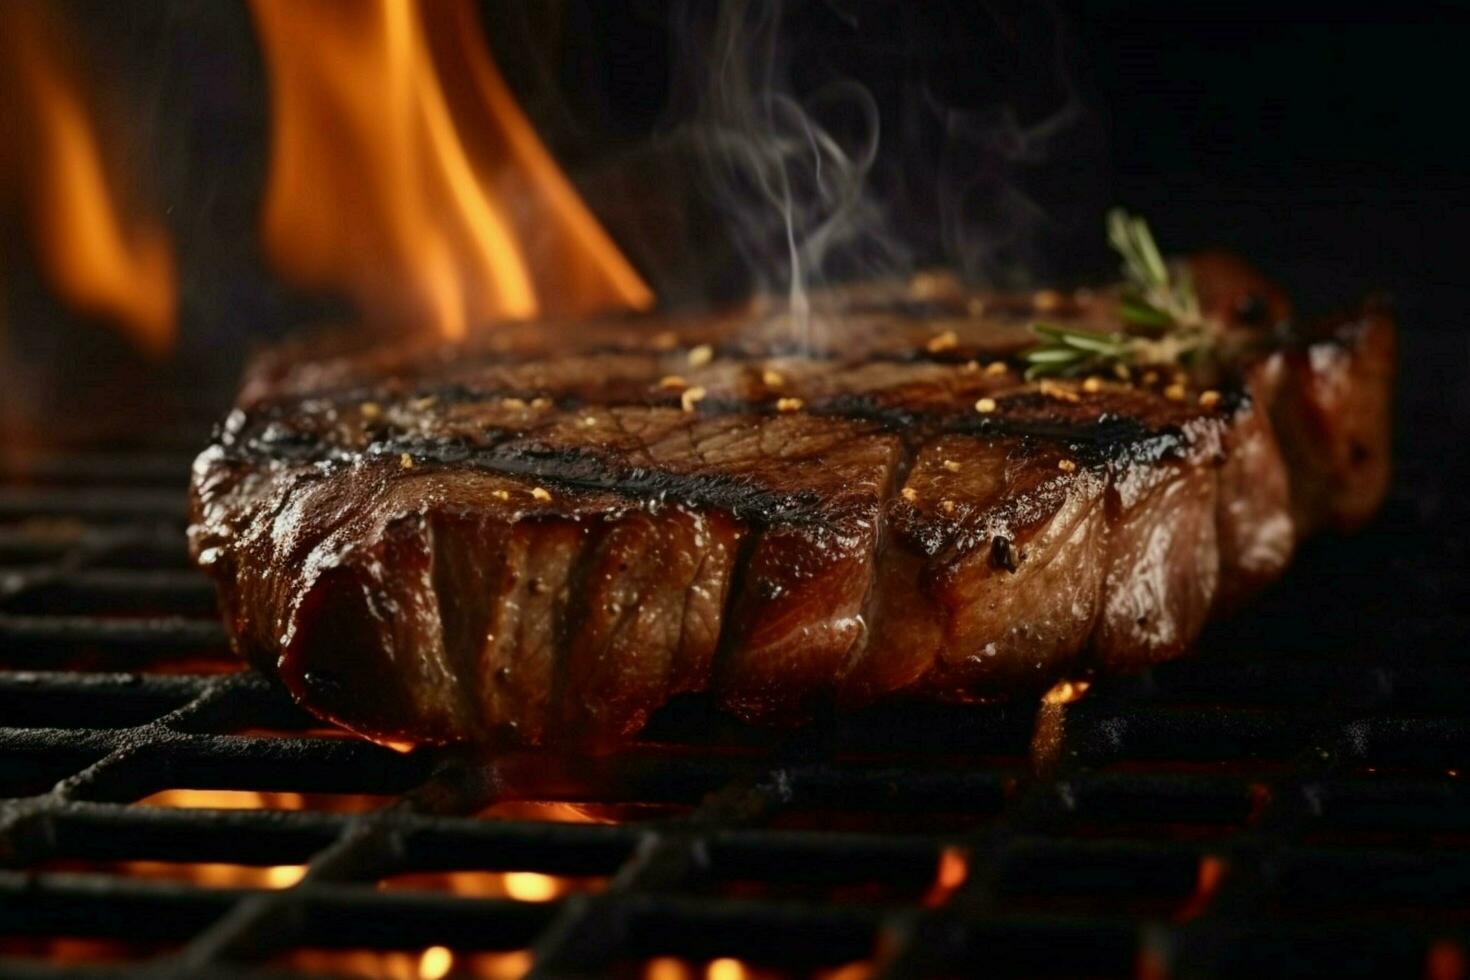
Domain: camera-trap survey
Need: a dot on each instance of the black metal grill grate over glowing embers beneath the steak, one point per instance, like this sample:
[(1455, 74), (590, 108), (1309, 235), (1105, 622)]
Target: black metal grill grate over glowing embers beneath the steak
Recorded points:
[(1290, 803)]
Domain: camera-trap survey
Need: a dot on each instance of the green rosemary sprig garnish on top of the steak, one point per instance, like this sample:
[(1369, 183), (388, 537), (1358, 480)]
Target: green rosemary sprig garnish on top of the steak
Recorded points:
[(1159, 308)]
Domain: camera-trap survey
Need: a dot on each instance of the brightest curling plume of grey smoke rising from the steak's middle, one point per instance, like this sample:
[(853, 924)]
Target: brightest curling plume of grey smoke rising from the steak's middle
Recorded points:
[(789, 176)]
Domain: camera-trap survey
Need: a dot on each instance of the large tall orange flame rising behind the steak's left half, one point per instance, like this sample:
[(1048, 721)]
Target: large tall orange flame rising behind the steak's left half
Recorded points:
[(404, 174)]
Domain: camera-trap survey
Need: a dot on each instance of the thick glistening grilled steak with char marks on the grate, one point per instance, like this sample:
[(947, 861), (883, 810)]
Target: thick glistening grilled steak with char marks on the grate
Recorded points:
[(549, 531)]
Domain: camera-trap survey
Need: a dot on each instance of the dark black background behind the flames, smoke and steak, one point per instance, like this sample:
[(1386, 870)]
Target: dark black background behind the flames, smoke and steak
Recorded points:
[(1324, 140)]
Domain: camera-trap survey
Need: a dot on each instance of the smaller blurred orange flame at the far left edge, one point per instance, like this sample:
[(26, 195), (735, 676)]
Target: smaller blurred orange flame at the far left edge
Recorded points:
[(99, 259)]
